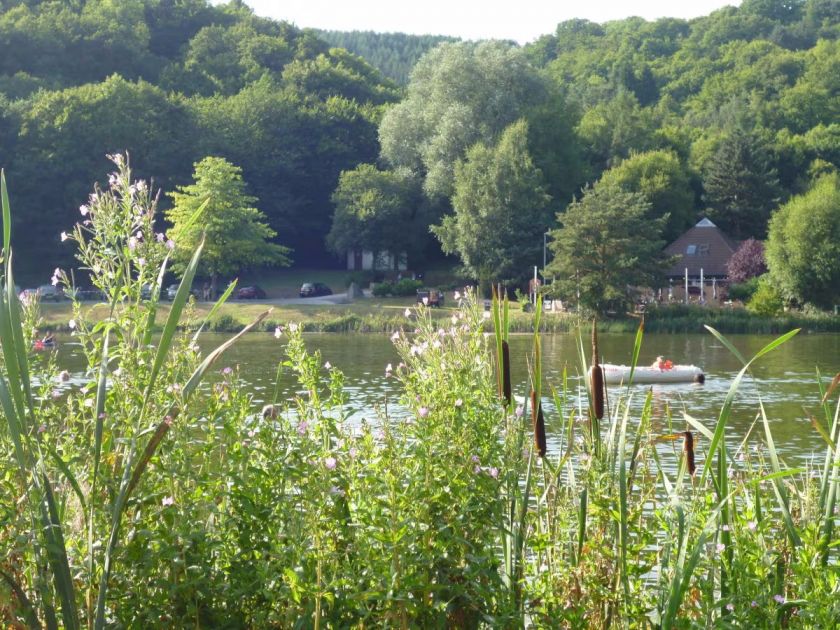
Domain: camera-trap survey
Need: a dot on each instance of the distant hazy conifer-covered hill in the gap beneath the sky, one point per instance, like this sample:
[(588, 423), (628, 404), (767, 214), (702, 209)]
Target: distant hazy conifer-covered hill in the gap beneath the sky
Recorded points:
[(394, 54)]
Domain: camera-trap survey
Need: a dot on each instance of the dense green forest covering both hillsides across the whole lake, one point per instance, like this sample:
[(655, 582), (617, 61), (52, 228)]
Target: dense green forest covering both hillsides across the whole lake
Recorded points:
[(729, 116)]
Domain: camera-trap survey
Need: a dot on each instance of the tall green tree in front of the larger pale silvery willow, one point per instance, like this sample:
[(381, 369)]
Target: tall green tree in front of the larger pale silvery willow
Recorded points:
[(500, 207)]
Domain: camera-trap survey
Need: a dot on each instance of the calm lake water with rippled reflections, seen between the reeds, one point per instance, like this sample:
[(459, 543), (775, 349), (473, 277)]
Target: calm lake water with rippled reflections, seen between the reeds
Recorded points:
[(785, 379)]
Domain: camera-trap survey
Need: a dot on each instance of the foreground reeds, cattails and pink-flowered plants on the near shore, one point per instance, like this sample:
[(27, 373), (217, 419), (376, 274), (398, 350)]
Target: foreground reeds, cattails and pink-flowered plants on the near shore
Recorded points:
[(141, 497)]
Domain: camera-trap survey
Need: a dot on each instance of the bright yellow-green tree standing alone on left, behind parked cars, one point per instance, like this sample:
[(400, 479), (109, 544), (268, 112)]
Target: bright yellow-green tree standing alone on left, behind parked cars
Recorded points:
[(235, 233)]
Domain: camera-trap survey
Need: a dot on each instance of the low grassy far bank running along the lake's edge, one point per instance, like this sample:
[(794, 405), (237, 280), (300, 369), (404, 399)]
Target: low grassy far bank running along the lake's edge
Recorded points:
[(388, 314)]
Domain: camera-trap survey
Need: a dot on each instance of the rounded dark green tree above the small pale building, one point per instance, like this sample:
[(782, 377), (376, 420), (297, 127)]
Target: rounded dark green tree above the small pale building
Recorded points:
[(376, 211)]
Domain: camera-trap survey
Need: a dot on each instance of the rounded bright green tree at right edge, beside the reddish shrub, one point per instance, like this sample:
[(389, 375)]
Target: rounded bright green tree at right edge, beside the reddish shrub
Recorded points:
[(803, 245)]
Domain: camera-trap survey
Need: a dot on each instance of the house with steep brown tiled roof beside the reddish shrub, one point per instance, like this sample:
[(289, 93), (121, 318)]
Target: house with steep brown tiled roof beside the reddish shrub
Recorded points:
[(701, 258)]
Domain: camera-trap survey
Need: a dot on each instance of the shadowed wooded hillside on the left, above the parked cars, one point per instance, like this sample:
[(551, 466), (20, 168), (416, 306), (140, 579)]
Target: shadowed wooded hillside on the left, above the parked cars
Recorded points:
[(173, 82)]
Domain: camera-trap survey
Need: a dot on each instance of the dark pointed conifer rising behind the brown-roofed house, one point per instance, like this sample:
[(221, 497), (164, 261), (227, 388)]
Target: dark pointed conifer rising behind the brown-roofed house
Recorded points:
[(741, 186)]
